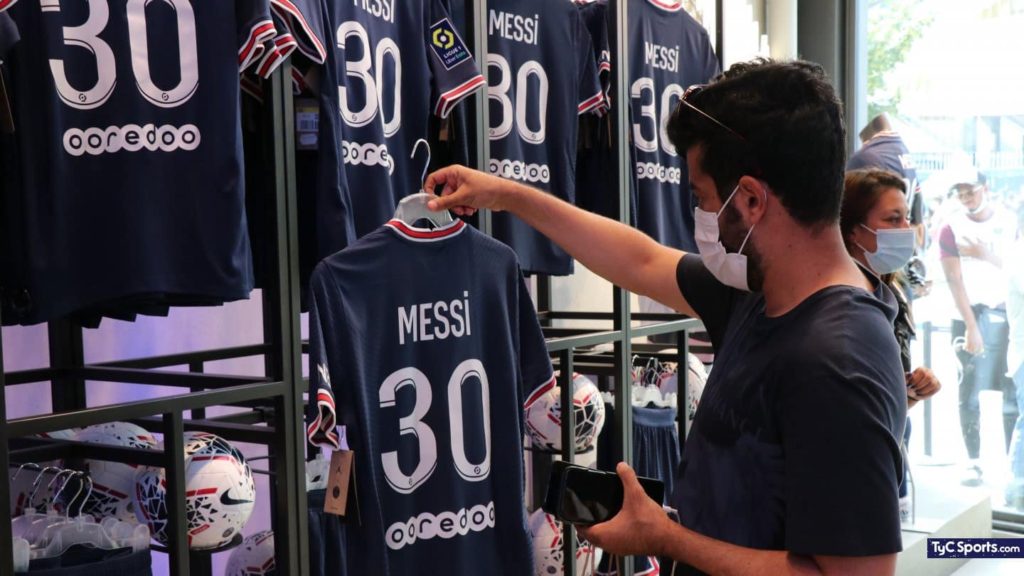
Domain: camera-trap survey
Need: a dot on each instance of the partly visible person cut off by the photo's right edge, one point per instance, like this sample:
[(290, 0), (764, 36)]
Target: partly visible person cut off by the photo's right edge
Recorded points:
[(1015, 317)]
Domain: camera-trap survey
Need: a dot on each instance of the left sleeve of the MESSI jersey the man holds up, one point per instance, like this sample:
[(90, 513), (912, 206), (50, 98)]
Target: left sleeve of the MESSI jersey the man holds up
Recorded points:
[(325, 359)]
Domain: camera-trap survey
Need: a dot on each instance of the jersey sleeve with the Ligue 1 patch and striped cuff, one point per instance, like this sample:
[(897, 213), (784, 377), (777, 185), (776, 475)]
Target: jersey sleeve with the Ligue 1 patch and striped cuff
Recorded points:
[(454, 72)]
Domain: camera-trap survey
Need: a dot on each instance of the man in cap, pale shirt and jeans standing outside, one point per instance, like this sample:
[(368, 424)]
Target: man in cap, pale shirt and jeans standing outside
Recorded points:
[(972, 246)]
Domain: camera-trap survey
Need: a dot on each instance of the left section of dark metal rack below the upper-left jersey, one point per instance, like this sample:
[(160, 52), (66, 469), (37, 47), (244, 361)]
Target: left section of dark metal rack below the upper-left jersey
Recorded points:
[(274, 400)]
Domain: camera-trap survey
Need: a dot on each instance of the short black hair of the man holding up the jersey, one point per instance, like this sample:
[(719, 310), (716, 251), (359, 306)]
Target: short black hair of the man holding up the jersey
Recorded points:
[(792, 135)]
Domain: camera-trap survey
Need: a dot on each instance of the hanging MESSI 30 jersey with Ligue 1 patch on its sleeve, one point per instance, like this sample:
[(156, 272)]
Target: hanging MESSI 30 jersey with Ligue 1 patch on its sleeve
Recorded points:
[(390, 67)]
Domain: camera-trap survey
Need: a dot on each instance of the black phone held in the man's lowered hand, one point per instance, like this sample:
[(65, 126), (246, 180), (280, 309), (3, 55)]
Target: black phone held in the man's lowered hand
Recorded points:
[(586, 497)]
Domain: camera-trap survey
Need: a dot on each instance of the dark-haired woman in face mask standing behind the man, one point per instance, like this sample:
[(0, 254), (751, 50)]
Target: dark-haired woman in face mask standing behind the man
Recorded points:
[(879, 236)]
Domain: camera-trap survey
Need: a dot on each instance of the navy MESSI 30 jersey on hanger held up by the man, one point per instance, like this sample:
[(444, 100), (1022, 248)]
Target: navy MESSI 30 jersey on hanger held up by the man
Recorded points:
[(425, 346)]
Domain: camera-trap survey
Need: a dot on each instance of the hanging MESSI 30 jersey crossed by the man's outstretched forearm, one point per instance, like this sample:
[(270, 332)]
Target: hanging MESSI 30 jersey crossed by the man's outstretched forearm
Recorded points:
[(542, 76)]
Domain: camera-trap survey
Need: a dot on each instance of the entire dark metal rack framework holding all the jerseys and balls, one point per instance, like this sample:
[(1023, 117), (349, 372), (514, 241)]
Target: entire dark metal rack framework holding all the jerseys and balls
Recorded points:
[(275, 400)]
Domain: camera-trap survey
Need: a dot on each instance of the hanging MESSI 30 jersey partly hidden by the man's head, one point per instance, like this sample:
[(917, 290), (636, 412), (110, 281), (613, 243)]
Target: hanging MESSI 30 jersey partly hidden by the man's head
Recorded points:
[(669, 53)]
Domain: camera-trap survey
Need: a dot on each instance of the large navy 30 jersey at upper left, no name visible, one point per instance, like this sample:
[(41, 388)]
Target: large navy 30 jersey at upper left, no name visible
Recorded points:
[(125, 181)]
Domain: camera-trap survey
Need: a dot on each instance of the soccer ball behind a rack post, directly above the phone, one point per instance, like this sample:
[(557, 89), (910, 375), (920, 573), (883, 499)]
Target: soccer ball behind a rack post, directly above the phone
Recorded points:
[(544, 418)]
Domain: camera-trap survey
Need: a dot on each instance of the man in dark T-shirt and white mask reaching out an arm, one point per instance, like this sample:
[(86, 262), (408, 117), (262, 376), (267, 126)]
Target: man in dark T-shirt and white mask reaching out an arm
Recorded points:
[(793, 462)]
